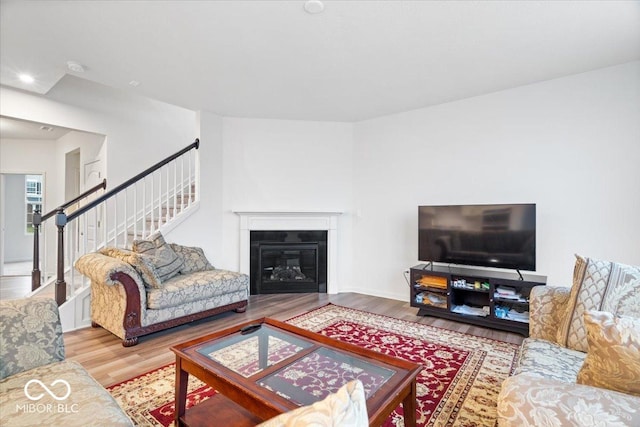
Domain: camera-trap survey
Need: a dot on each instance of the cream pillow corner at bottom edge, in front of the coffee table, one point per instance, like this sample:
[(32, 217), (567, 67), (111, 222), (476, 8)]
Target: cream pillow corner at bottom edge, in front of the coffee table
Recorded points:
[(345, 407)]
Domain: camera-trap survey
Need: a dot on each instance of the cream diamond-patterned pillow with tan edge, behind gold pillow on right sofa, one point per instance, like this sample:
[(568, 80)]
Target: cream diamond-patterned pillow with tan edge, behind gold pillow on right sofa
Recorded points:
[(602, 286)]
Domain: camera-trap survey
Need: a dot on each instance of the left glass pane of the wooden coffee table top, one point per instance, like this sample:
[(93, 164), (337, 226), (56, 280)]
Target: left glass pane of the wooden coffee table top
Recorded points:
[(250, 353)]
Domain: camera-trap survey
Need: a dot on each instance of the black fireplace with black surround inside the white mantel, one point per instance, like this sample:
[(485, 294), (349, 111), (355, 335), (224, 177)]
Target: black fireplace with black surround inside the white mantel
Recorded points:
[(288, 262)]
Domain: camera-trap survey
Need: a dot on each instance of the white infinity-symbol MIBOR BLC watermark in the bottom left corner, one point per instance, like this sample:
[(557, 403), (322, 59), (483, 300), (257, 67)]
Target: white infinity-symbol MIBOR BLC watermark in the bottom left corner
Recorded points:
[(35, 390)]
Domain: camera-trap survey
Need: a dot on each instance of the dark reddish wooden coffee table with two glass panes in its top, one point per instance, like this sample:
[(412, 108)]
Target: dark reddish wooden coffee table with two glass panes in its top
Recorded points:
[(265, 367)]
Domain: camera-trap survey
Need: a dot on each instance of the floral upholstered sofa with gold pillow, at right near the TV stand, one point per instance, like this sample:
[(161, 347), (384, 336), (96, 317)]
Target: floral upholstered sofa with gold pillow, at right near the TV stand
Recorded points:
[(580, 365)]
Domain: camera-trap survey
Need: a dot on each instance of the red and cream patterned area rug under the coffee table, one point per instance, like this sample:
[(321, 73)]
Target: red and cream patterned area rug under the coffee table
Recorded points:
[(457, 387)]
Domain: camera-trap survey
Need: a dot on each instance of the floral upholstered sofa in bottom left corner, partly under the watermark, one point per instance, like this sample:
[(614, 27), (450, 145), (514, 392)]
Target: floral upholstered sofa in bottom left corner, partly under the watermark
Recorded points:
[(37, 385)]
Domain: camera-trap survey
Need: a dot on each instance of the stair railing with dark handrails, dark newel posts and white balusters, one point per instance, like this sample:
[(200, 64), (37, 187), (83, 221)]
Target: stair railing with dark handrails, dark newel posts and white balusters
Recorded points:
[(113, 214)]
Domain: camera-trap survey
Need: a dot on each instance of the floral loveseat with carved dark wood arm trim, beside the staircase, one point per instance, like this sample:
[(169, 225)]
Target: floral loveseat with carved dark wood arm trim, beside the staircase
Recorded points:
[(157, 285)]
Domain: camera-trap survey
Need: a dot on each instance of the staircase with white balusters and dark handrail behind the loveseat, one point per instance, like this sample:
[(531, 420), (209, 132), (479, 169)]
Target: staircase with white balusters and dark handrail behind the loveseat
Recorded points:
[(157, 199)]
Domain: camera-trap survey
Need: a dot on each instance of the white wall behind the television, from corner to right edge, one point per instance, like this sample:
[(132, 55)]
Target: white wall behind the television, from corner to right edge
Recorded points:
[(571, 145)]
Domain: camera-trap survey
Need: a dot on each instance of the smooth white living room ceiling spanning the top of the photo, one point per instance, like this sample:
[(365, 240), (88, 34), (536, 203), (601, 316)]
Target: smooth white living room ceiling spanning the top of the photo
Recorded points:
[(356, 60)]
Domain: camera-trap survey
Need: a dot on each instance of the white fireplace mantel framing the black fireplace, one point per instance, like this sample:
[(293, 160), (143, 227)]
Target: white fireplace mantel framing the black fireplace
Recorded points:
[(291, 220)]
